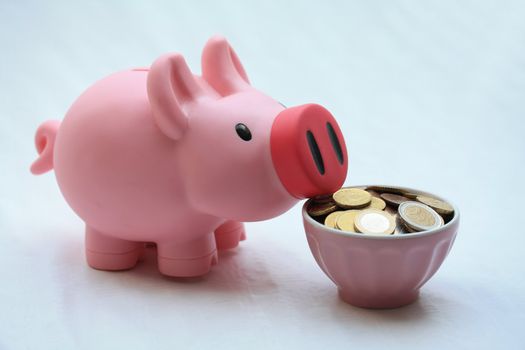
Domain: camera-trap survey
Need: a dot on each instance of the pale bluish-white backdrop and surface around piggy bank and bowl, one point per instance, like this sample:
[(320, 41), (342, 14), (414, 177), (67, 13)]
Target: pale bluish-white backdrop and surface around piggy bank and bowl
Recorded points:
[(429, 95)]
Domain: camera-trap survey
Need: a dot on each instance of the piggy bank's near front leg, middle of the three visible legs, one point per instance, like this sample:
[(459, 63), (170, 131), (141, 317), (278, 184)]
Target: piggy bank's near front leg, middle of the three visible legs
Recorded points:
[(187, 259)]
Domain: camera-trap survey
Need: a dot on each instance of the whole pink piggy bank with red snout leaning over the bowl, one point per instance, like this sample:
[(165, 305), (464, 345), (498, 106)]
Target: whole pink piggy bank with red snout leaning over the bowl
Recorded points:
[(160, 155)]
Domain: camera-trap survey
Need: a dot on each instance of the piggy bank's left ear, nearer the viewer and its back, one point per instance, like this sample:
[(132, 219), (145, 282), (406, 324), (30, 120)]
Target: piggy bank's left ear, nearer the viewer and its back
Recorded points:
[(171, 88)]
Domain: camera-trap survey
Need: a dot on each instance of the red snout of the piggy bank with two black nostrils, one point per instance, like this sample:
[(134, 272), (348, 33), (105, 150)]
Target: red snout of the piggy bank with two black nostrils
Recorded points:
[(308, 151)]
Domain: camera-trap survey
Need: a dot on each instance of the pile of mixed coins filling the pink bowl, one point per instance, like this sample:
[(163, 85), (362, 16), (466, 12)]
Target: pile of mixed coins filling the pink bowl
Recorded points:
[(379, 210)]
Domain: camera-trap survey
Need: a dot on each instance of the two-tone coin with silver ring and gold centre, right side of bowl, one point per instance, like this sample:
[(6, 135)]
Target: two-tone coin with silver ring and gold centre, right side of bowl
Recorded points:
[(419, 217)]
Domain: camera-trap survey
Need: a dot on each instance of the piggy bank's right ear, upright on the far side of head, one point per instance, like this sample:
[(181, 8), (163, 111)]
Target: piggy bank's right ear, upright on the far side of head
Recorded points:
[(221, 67)]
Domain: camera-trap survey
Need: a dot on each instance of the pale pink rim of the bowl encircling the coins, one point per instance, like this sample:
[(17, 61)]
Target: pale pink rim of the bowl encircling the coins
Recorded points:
[(414, 235)]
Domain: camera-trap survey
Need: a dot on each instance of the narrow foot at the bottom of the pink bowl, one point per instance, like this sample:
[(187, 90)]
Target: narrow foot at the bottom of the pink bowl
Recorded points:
[(387, 302)]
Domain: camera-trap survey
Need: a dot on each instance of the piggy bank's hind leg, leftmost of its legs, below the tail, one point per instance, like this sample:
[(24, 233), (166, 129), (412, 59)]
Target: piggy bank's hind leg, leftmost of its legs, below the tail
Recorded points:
[(104, 252)]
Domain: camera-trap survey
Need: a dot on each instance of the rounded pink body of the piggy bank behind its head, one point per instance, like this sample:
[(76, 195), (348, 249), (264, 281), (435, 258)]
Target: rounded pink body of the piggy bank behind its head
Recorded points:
[(113, 165)]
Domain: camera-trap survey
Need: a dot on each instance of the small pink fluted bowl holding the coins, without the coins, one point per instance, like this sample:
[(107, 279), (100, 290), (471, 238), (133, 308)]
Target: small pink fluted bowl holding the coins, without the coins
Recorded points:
[(380, 271)]
